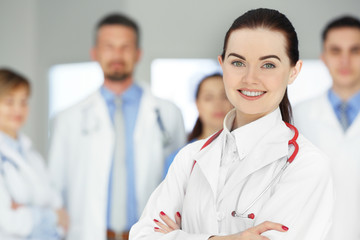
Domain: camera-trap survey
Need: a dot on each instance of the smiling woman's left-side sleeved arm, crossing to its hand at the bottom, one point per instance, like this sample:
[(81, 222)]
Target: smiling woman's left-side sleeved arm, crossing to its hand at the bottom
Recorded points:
[(167, 201)]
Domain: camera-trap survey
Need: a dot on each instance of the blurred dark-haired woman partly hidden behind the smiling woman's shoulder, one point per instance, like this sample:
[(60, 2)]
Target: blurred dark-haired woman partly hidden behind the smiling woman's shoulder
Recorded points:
[(212, 105)]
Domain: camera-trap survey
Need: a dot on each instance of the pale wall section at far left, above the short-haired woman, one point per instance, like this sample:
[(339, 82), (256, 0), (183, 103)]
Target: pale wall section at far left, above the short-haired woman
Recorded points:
[(18, 50)]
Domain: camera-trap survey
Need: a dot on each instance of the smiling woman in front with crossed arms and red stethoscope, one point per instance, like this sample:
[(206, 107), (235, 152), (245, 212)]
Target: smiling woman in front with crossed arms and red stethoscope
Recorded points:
[(231, 185)]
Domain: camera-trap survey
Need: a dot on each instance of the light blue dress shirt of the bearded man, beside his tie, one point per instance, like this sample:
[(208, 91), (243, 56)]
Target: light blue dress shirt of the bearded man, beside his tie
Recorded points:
[(130, 107)]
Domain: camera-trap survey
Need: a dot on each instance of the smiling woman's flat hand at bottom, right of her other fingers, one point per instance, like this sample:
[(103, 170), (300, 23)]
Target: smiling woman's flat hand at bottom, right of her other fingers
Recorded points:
[(254, 233)]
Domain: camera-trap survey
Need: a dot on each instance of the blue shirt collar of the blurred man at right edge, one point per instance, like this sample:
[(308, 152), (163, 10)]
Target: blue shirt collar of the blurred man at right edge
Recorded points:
[(353, 105)]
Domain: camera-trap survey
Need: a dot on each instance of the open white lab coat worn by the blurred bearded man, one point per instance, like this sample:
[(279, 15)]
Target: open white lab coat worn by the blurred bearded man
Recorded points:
[(82, 149)]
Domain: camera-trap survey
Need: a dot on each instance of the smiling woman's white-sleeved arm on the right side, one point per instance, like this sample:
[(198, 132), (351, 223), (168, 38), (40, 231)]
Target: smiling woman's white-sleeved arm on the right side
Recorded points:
[(303, 199)]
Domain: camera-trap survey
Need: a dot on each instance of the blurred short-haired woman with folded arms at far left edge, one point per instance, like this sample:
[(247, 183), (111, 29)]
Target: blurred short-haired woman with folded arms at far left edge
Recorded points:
[(29, 207)]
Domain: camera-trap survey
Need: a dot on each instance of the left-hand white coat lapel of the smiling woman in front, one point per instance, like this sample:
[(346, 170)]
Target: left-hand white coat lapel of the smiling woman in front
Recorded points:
[(208, 160)]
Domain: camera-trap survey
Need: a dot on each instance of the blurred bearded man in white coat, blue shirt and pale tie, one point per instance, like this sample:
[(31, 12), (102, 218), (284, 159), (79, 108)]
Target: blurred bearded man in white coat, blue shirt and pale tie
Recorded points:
[(107, 152)]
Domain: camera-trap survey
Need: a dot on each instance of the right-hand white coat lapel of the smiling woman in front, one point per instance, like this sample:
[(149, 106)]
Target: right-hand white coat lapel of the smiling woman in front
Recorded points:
[(273, 147)]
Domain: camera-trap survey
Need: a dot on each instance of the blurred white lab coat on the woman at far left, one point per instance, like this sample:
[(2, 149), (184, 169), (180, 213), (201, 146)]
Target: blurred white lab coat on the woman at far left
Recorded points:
[(26, 182)]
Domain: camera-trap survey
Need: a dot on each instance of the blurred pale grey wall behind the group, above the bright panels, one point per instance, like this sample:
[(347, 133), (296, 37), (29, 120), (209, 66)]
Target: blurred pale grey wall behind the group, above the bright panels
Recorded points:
[(37, 34)]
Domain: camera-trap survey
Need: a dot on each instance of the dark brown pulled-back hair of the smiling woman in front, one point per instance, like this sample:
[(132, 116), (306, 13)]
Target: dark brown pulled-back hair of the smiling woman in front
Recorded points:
[(275, 21)]
